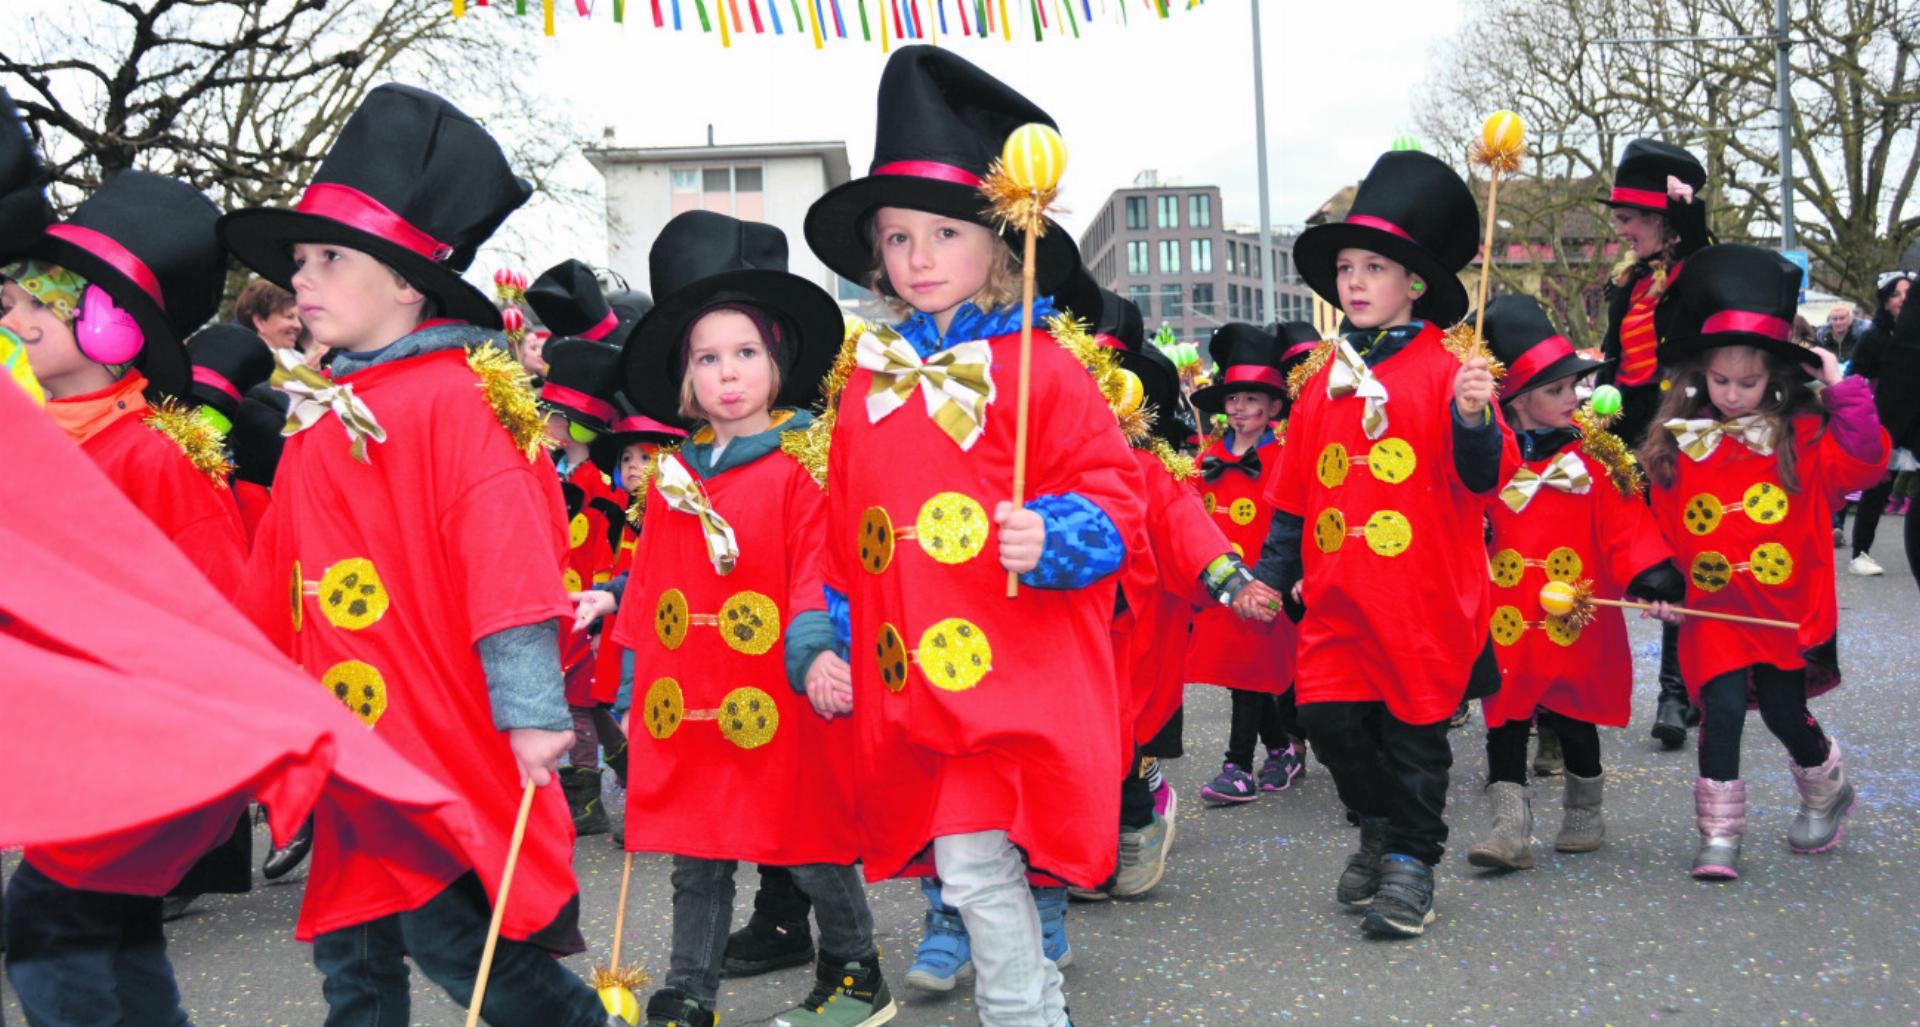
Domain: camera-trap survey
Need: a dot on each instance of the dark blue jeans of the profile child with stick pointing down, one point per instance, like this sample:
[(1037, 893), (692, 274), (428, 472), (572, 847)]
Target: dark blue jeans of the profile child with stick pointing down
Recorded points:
[(366, 968)]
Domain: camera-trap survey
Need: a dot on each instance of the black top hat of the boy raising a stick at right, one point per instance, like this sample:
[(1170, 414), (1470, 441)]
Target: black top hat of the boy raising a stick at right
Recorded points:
[(1414, 210)]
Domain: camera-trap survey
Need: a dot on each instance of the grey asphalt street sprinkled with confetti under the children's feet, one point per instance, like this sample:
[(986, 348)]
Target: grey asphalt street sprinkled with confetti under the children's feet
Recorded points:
[(1245, 930)]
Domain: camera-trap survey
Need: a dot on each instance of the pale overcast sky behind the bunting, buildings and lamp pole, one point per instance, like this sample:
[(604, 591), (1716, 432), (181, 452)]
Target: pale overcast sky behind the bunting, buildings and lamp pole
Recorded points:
[(1172, 95)]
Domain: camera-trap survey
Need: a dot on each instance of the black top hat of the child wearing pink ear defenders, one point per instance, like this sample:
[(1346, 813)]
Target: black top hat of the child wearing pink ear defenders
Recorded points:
[(149, 243)]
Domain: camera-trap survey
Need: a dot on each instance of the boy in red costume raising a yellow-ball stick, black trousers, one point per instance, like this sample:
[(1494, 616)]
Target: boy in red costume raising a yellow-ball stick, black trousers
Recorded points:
[(1393, 444)]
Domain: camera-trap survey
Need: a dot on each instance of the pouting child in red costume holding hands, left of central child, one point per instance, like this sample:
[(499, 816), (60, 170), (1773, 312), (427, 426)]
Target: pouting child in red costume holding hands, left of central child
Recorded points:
[(744, 752)]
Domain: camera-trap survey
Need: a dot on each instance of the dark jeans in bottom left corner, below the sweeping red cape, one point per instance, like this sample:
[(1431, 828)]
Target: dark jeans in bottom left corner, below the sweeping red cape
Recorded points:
[(87, 959)]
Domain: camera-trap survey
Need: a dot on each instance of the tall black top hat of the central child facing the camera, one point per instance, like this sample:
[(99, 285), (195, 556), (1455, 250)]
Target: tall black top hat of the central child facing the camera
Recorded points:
[(942, 126)]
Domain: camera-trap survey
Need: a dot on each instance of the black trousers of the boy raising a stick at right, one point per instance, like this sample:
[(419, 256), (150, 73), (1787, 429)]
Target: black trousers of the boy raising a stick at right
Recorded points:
[(1385, 767)]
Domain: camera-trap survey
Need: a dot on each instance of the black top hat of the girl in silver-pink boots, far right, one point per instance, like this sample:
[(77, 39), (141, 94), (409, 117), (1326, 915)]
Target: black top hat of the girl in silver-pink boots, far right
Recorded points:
[(1735, 295)]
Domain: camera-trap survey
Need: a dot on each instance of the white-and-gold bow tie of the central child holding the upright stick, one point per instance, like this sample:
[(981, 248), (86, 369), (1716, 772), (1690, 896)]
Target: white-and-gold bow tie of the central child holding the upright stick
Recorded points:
[(957, 383)]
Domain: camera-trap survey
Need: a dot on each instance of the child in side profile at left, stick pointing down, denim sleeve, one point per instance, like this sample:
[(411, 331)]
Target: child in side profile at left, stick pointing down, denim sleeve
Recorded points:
[(412, 561)]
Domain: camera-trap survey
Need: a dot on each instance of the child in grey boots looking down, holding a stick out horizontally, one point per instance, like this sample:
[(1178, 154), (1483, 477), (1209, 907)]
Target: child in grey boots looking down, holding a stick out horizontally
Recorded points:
[(1572, 513)]
